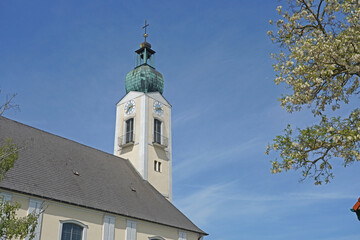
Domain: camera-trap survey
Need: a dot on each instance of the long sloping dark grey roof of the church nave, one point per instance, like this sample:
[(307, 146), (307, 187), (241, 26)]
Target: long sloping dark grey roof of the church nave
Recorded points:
[(55, 168)]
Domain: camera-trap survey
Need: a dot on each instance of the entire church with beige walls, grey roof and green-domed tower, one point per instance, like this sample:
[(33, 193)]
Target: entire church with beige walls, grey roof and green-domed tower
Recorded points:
[(83, 193)]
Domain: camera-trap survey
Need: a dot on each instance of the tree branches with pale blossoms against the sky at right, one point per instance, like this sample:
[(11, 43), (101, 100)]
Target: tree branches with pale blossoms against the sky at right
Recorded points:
[(320, 65)]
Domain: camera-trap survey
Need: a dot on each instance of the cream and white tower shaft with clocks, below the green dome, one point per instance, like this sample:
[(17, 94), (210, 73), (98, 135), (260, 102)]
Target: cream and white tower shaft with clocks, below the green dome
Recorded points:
[(152, 158)]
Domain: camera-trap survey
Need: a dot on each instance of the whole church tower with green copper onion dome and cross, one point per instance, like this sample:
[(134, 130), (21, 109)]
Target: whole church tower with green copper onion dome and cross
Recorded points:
[(143, 122)]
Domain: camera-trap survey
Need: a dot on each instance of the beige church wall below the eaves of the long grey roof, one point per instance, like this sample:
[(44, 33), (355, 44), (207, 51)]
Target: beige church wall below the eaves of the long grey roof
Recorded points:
[(54, 212)]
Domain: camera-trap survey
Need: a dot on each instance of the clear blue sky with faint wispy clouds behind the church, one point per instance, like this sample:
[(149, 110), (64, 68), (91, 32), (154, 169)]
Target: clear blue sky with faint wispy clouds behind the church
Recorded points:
[(67, 61)]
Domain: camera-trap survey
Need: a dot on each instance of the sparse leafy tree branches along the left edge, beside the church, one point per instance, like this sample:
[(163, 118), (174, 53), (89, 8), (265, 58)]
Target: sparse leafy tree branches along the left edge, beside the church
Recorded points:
[(12, 226)]
